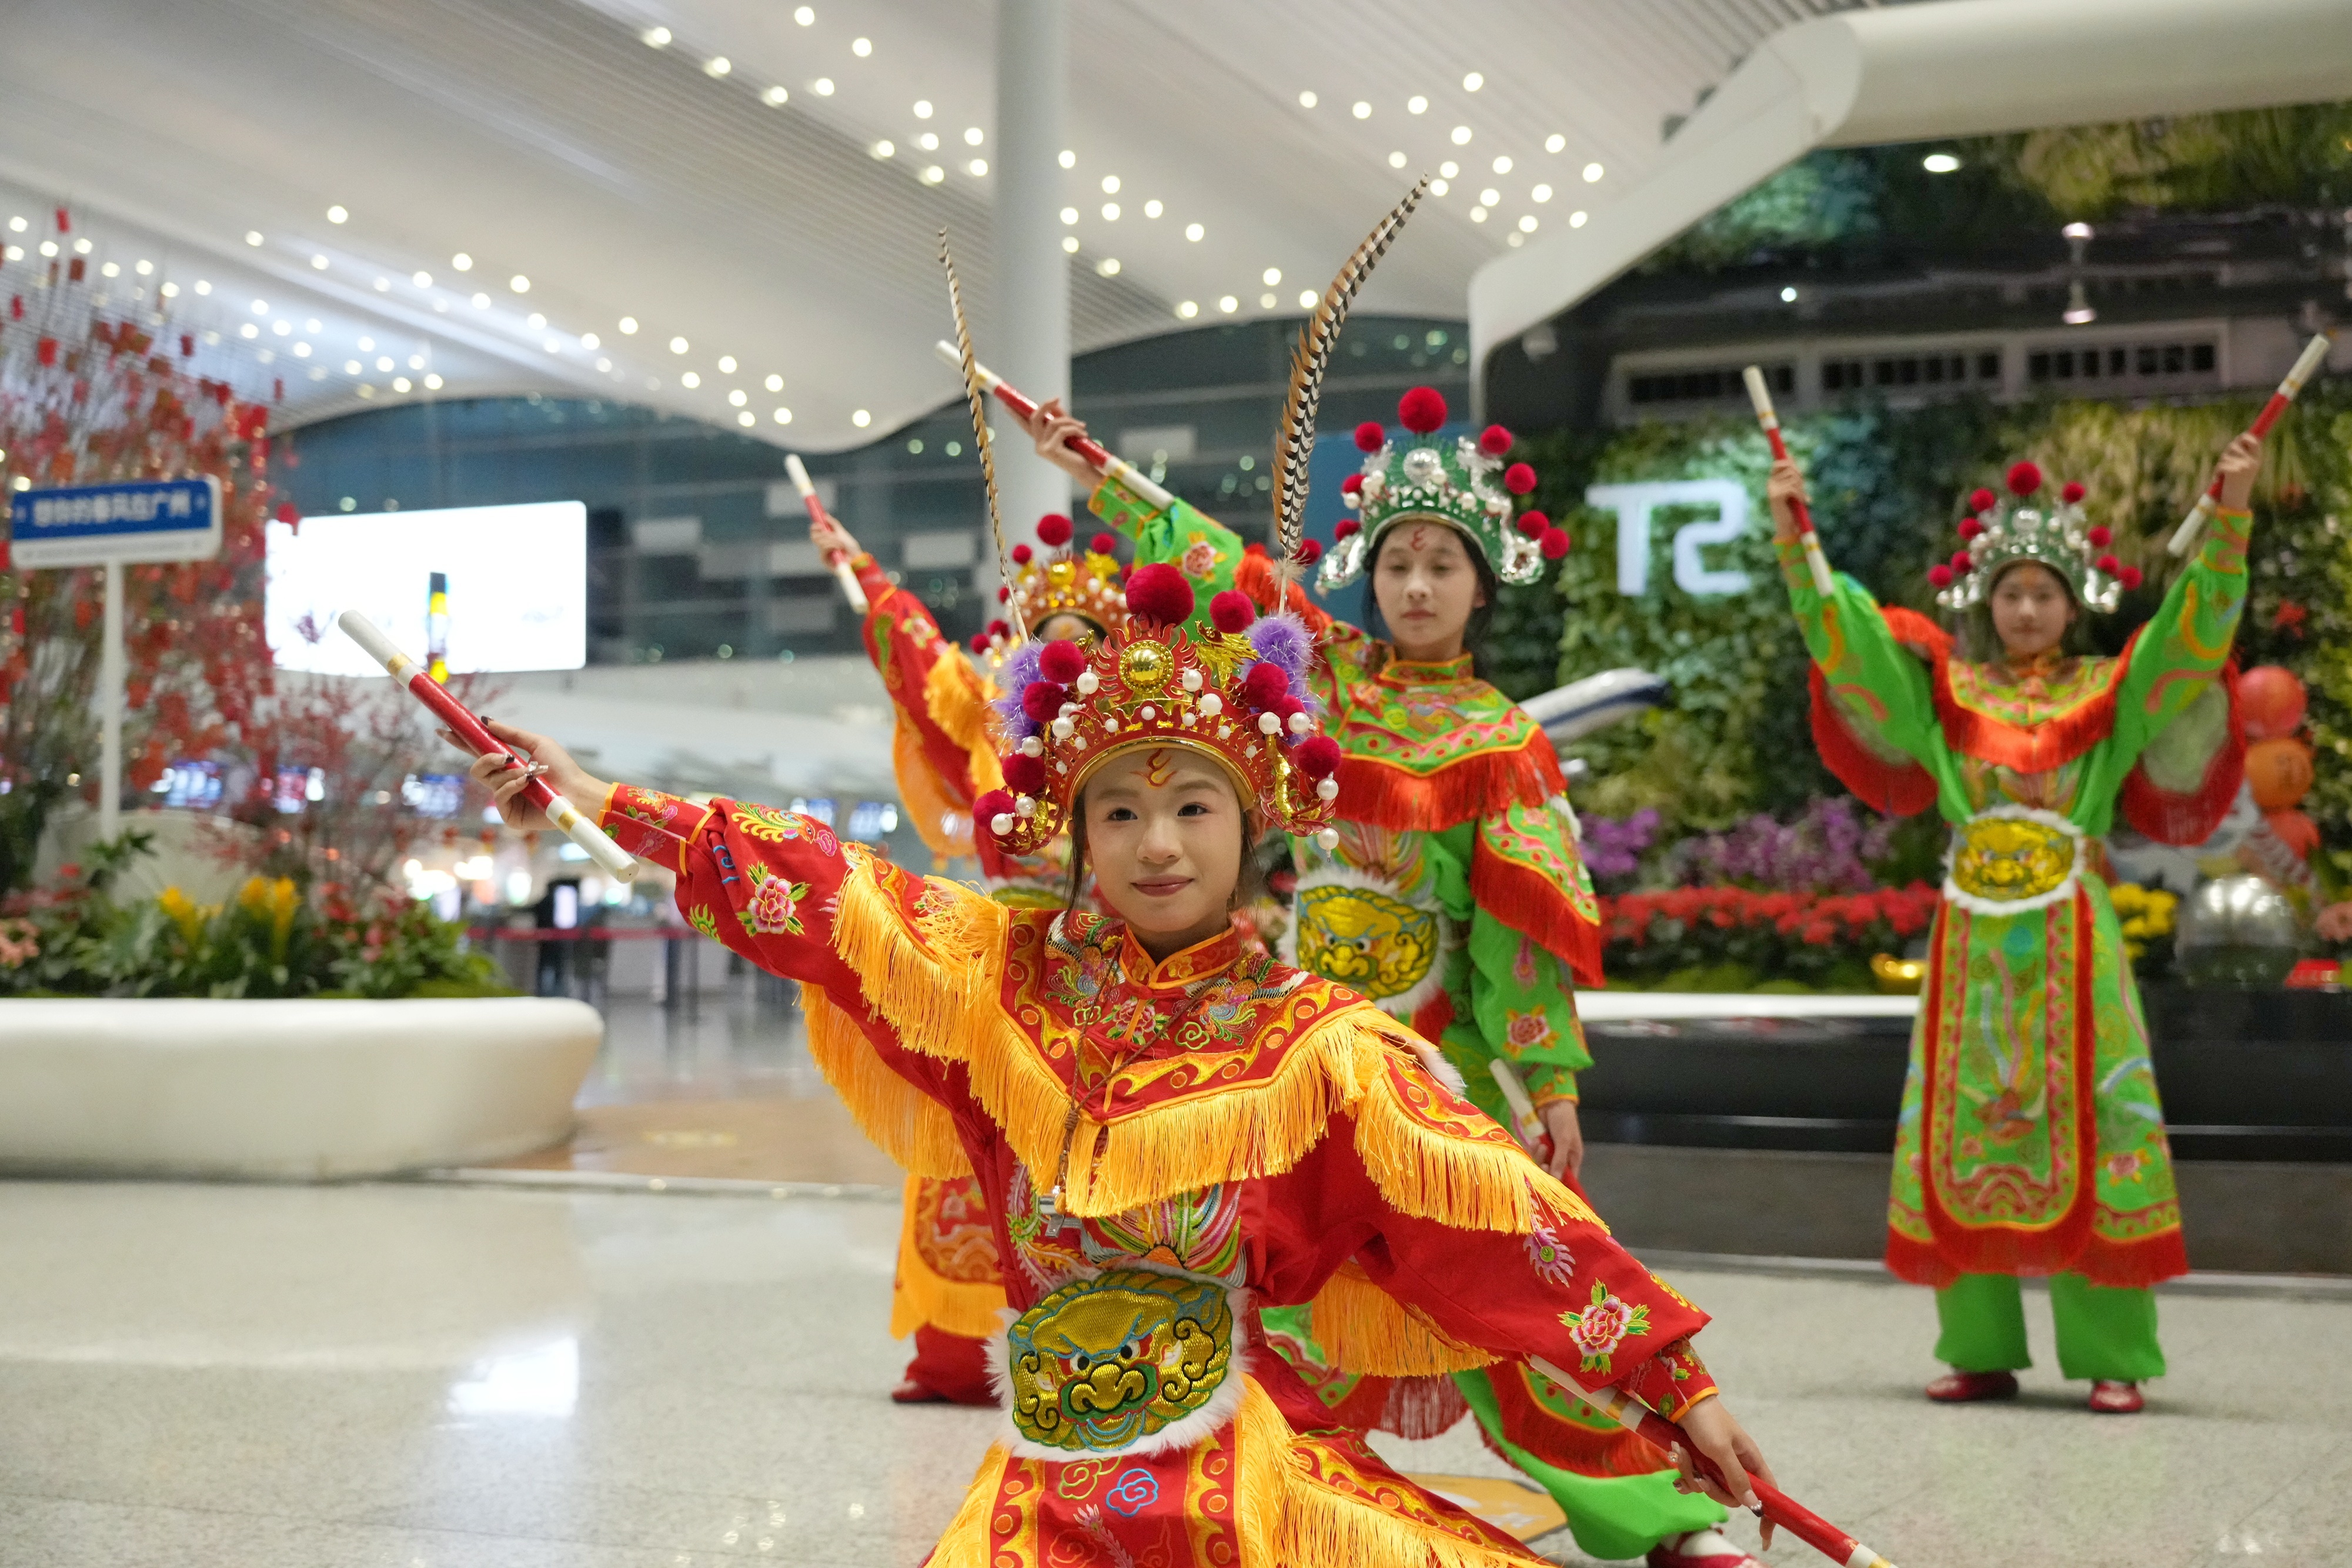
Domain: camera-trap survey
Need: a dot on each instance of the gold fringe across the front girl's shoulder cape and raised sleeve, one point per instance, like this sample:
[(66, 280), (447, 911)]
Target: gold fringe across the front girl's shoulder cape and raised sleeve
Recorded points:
[(940, 986)]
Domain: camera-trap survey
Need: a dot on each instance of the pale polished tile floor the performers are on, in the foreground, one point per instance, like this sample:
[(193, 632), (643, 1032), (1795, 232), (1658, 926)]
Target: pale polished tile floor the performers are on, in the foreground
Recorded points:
[(439, 1376)]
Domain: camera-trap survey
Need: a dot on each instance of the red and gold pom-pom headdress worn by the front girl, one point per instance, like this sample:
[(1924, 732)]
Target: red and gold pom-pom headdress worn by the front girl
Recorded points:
[(1234, 688)]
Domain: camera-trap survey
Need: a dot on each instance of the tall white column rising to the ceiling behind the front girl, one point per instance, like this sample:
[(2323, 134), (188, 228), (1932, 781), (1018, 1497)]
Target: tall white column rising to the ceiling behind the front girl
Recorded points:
[(1031, 274)]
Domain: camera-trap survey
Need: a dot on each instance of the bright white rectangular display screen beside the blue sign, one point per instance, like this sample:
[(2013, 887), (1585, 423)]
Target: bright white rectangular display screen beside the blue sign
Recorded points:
[(519, 587)]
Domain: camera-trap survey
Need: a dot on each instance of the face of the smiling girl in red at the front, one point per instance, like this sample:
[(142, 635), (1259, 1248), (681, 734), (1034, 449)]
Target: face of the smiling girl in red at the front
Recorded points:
[(1165, 836)]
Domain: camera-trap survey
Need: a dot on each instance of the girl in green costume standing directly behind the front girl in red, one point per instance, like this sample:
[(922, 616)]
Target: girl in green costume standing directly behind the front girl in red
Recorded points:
[(1457, 897)]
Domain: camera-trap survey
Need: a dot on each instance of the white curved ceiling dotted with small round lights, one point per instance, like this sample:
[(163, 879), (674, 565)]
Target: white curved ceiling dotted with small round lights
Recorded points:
[(547, 140)]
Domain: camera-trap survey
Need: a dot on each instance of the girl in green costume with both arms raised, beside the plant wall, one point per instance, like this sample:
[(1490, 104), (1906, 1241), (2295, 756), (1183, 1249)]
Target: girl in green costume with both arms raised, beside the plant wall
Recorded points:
[(2031, 1137)]
